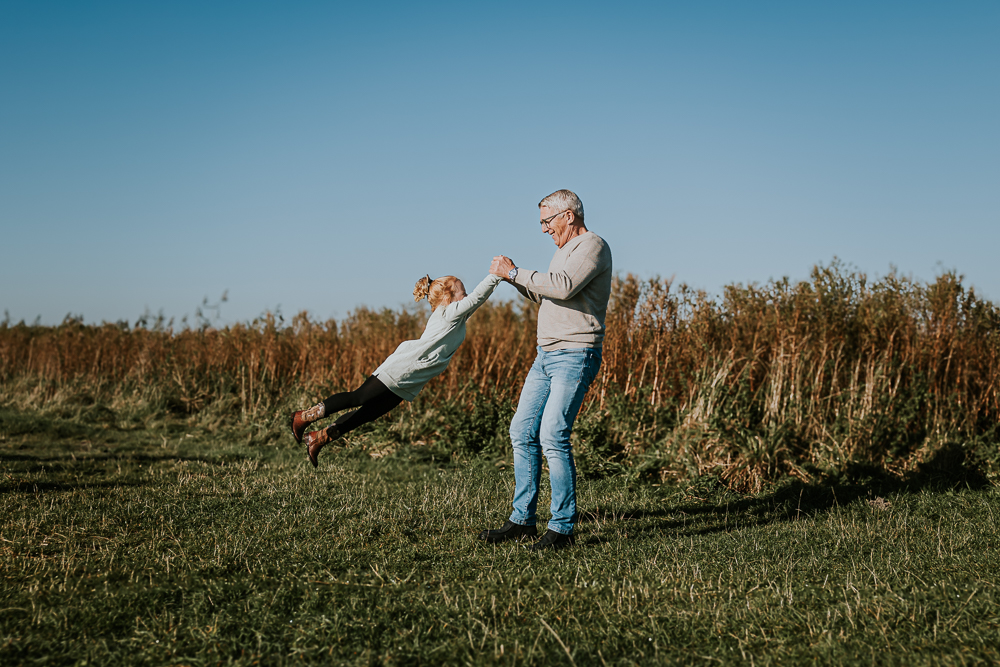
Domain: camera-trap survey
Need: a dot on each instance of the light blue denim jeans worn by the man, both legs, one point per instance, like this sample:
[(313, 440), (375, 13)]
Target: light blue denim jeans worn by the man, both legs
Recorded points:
[(550, 399)]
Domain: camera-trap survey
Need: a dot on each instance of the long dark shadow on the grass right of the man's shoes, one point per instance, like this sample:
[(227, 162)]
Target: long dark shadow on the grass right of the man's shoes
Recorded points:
[(723, 510)]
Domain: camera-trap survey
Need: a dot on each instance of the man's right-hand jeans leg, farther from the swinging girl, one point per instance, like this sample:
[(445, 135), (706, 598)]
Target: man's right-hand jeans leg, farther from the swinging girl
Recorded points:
[(570, 373)]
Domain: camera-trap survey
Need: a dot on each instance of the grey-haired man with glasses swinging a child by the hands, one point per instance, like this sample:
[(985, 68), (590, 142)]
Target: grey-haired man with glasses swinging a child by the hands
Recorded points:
[(574, 299)]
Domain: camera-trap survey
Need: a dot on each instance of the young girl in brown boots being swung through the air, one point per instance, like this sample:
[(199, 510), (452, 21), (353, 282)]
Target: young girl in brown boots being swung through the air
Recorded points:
[(407, 370)]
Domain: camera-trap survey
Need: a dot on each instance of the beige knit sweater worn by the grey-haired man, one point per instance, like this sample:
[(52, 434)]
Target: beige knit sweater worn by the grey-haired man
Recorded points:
[(574, 294)]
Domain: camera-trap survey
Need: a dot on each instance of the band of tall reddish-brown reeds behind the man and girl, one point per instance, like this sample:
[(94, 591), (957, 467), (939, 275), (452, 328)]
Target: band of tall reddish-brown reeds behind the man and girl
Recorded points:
[(805, 379)]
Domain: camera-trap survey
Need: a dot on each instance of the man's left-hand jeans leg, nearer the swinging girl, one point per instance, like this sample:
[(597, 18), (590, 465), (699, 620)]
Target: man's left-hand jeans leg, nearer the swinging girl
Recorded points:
[(524, 440)]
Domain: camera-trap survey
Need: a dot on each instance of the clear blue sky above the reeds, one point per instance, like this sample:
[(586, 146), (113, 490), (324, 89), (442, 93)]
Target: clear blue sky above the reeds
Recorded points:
[(323, 156)]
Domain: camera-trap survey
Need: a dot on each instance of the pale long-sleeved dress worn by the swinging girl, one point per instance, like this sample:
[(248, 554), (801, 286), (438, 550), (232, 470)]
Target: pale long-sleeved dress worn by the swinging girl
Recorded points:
[(417, 362)]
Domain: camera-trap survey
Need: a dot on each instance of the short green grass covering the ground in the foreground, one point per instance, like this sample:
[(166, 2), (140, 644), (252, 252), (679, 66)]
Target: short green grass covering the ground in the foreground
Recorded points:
[(176, 544)]
